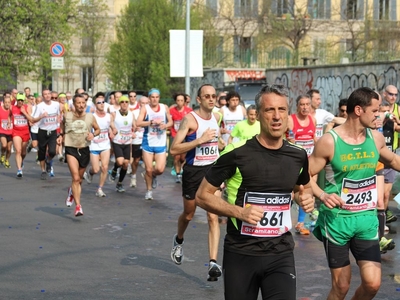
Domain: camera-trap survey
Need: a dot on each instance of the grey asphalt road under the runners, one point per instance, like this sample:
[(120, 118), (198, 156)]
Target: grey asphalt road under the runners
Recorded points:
[(120, 248)]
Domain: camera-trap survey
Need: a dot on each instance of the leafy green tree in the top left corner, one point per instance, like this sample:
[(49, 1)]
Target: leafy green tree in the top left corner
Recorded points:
[(27, 30)]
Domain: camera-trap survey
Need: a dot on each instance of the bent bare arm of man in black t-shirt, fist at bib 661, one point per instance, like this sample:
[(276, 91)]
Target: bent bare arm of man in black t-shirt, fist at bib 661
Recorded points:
[(206, 199)]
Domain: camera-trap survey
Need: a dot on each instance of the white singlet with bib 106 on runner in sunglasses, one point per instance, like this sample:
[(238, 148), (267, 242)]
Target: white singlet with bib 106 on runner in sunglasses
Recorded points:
[(206, 153)]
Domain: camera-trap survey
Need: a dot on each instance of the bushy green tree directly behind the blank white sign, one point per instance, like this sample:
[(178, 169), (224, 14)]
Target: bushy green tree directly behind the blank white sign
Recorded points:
[(139, 57)]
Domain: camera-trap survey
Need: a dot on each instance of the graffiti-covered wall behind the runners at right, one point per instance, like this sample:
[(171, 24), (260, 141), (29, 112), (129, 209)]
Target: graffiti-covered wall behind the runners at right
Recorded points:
[(335, 82)]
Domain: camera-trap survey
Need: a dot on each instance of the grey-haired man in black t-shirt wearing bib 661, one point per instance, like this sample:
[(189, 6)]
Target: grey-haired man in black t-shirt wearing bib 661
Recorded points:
[(261, 174)]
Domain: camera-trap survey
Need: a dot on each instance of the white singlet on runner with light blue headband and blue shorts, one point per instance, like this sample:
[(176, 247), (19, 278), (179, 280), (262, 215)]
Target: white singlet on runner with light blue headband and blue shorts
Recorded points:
[(153, 136)]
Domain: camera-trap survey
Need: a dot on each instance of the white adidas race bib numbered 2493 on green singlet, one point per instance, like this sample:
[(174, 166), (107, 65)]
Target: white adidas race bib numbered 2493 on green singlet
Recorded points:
[(359, 195)]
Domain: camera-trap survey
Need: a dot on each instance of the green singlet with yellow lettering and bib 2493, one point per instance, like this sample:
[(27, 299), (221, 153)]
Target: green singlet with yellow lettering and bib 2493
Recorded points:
[(351, 175)]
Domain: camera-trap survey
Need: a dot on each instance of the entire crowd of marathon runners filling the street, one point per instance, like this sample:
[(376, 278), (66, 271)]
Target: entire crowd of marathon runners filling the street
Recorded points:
[(249, 164)]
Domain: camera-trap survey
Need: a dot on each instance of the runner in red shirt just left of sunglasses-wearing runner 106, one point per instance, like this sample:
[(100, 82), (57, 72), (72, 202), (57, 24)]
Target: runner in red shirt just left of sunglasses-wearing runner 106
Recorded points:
[(178, 111)]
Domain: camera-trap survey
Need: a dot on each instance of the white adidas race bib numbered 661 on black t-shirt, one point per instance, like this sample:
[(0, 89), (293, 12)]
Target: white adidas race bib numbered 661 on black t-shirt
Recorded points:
[(276, 219)]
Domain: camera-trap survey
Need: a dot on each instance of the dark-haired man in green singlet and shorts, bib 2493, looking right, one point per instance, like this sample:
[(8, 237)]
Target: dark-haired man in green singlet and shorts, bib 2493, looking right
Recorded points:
[(347, 219)]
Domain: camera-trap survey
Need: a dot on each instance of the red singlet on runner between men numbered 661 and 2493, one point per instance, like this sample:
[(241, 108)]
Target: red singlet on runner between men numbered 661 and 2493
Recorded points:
[(304, 136)]
